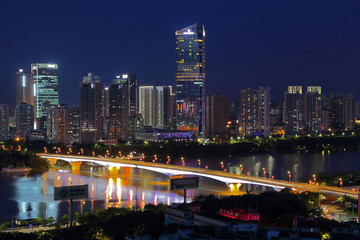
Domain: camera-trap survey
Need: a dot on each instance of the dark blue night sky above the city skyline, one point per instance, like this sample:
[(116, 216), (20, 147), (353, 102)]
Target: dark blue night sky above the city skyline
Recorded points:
[(249, 43)]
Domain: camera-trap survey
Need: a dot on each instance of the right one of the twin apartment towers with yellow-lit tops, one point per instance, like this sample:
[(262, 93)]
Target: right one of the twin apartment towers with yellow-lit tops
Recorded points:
[(312, 110)]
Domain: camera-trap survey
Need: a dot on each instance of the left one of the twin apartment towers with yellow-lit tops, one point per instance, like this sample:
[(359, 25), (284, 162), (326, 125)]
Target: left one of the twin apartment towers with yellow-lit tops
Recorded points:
[(293, 110)]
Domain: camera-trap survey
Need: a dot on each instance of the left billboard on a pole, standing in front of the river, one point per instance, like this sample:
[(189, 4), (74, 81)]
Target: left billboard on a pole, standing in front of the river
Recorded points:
[(71, 192)]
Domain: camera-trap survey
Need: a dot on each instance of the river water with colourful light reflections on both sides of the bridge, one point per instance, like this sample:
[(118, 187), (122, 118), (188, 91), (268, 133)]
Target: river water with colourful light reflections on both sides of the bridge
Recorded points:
[(24, 196)]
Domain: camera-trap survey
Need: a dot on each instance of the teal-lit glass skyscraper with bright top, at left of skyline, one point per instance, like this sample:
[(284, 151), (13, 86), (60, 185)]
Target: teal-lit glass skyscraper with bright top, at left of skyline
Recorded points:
[(46, 90)]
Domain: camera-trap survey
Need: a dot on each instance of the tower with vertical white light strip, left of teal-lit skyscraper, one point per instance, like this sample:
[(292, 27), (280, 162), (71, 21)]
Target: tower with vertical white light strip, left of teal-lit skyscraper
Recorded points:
[(24, 87)]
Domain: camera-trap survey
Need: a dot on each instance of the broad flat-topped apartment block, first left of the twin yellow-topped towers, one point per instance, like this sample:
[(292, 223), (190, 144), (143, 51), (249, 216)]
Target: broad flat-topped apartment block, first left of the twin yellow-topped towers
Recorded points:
[(254, 117)]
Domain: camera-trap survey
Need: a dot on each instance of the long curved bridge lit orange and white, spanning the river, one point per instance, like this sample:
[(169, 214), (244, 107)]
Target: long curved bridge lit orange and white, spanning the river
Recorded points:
[(230, 179)]
